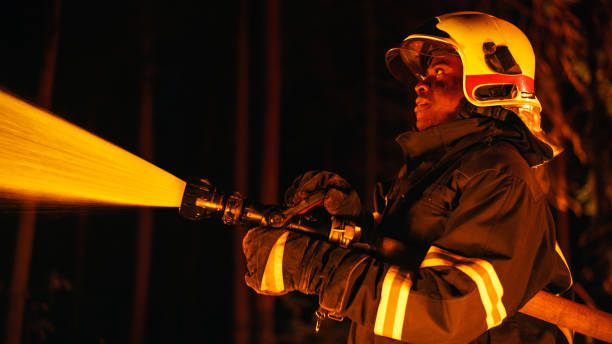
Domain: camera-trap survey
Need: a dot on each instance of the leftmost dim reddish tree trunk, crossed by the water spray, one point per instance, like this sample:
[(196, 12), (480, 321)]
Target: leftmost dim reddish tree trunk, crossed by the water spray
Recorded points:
[(27, 221)]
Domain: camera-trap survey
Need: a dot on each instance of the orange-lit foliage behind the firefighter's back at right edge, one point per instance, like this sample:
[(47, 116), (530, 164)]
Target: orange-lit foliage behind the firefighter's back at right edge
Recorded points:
[(572, 40)]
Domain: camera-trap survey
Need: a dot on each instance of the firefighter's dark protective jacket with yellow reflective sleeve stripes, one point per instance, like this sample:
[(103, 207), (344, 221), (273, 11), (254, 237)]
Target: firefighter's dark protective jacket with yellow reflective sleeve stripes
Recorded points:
[(476, 240)]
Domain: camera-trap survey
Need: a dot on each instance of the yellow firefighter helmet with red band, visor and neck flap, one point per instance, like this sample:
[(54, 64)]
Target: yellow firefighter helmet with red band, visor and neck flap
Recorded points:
[(498, 62)]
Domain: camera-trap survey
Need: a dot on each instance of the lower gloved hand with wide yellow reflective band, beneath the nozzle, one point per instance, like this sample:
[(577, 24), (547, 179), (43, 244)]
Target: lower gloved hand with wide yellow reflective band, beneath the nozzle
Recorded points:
[(280, 261)]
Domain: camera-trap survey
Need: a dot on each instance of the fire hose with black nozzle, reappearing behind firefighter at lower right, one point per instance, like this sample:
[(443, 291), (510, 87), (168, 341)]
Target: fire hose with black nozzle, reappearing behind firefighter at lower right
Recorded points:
[(201, 200)]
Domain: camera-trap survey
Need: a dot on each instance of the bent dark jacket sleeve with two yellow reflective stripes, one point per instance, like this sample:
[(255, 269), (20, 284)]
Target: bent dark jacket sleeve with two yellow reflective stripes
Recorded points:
[(497, 250)]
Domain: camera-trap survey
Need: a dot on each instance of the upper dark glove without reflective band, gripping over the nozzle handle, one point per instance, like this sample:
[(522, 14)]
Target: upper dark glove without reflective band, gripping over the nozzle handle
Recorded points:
[(339, 198)]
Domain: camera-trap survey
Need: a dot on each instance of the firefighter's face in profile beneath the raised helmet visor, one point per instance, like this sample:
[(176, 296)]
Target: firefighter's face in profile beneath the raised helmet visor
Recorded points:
[(440, 93)]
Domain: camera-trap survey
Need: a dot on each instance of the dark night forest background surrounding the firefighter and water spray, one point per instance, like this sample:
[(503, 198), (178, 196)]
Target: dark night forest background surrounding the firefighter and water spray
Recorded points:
[(250, 94)]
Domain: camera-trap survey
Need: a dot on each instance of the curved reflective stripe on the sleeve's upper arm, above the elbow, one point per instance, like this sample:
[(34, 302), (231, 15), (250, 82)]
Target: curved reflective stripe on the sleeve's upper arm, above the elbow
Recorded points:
[(481, 272)]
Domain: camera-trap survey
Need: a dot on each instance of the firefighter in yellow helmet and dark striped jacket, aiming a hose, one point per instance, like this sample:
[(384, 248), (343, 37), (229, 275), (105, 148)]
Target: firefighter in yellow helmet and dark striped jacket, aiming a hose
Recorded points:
[(468, 234)]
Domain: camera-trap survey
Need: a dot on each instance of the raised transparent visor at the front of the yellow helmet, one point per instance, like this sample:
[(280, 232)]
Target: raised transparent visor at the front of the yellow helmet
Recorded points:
[(410, 61)]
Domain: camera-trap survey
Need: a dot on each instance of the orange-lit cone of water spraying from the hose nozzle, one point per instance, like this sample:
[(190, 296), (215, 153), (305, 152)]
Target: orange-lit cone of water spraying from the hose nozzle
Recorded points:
[(45, 158)]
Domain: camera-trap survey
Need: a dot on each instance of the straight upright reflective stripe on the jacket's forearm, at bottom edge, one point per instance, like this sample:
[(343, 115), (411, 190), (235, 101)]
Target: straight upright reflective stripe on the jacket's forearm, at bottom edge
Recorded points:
[(393, 303)]
